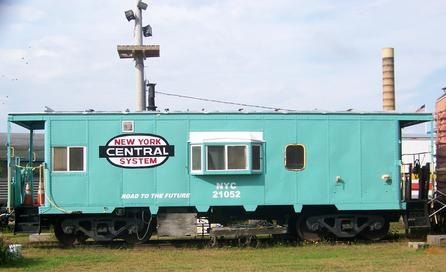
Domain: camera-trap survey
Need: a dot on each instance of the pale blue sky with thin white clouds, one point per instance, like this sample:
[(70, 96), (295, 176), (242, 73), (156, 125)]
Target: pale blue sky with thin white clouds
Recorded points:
[(291, 54)]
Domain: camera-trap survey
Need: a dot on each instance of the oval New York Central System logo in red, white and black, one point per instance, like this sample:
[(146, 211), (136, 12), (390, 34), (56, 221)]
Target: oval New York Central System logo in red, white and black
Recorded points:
[(137, 150)]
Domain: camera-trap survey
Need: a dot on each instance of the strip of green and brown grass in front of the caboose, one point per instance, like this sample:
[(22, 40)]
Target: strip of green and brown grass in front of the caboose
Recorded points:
[(345, 256)]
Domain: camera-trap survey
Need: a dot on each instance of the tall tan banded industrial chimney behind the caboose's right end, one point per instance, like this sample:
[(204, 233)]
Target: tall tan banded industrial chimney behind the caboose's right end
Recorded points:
[(388, 79)]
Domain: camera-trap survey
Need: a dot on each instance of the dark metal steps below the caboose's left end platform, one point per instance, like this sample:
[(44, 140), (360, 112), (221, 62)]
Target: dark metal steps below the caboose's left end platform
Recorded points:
[(27, 220)]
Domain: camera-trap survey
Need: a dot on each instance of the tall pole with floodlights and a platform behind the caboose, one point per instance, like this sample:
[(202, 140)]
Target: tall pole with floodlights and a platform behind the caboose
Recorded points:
[(139, 52)]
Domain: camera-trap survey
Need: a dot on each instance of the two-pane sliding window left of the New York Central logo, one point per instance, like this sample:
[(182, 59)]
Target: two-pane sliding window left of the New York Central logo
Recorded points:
[(69, 159)]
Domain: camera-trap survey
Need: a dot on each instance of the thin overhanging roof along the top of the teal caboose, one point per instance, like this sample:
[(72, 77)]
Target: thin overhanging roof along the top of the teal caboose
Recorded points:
[(36, 121)]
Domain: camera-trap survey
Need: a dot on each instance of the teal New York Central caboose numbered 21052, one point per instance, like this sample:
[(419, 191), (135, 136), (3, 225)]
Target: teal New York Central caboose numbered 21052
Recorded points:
[(123, 175)]
